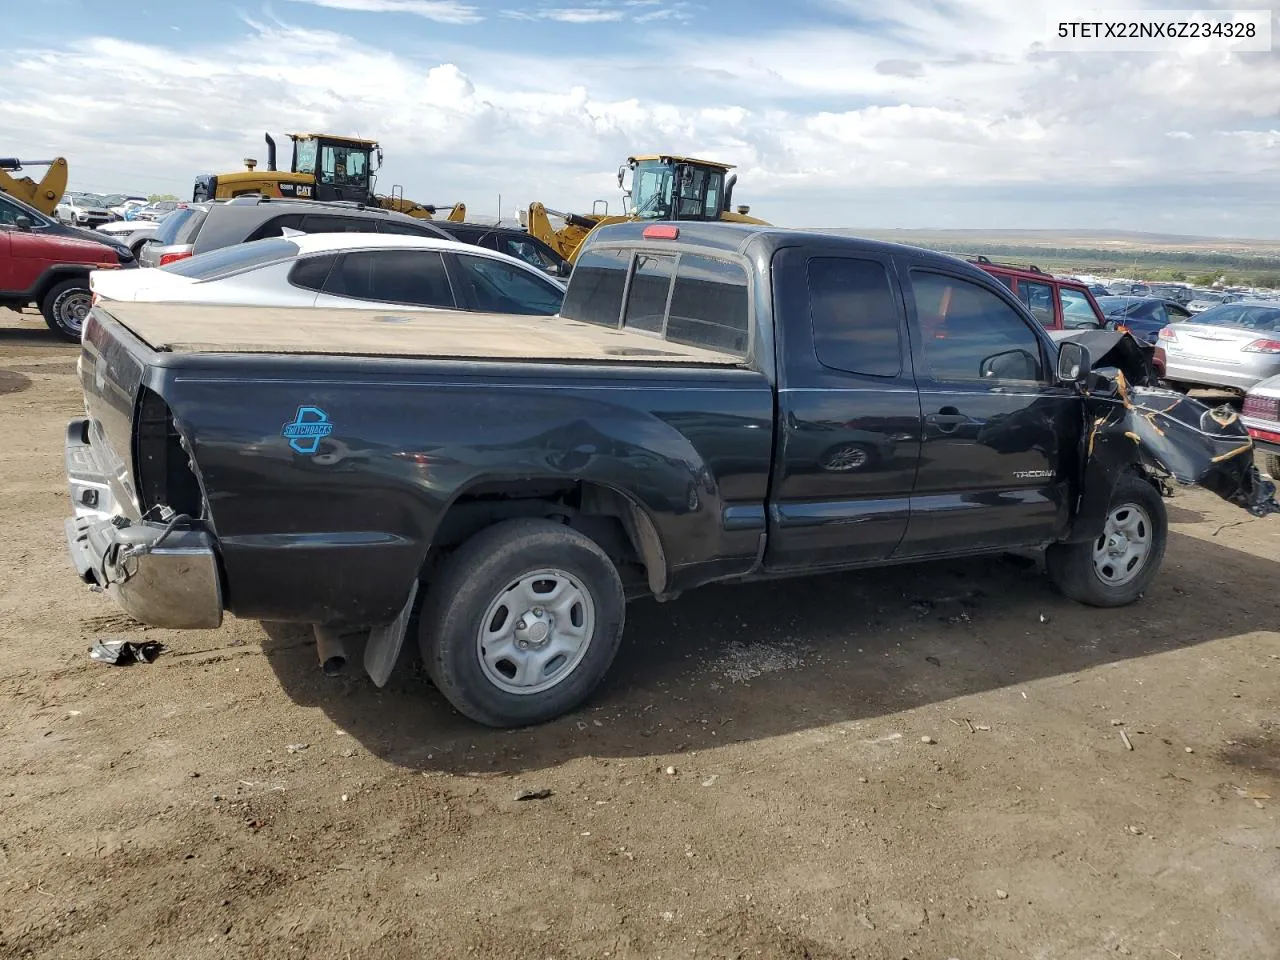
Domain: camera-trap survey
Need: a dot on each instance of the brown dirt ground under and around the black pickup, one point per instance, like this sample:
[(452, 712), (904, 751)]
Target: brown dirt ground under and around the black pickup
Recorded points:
[(755, 780)]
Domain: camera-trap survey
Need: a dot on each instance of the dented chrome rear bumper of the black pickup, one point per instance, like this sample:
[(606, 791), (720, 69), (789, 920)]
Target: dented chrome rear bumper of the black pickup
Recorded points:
[(162, 575)]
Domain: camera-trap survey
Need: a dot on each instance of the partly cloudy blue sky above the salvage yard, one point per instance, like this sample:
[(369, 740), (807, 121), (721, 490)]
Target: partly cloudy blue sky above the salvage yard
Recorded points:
[(843, 113)]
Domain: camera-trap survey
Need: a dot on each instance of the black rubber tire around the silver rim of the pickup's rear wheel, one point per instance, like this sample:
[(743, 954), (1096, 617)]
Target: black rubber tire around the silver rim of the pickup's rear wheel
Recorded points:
[(483, 572)]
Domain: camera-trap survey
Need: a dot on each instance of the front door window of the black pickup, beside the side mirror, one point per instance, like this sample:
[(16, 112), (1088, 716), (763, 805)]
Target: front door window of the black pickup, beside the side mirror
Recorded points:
[(971, 336)]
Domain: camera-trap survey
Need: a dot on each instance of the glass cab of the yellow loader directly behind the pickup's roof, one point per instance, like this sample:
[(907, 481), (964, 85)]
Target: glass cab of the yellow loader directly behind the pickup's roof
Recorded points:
[(676, 189)]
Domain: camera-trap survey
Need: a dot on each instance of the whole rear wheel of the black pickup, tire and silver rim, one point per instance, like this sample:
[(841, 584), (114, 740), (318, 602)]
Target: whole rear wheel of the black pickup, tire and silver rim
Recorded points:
[(523, 623)]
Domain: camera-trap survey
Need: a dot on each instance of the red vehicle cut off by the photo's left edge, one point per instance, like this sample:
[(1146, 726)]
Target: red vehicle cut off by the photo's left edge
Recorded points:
[(48, 264)]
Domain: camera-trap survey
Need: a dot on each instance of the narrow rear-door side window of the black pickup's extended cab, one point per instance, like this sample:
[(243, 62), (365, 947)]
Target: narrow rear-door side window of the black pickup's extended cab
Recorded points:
[(854, 317)]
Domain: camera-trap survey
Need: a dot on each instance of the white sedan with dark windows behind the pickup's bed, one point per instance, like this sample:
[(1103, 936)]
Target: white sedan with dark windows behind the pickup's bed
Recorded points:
[(354, 271)]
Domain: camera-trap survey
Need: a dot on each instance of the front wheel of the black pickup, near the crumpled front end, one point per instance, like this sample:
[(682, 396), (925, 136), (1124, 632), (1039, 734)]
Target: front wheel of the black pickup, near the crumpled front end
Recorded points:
[(1116, 569)]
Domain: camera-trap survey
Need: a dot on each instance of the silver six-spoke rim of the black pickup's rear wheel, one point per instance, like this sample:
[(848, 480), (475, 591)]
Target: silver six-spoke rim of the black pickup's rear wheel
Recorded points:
[(536, 633)]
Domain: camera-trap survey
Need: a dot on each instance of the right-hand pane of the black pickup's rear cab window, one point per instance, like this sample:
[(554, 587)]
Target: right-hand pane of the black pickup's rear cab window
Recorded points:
[(708, 305)]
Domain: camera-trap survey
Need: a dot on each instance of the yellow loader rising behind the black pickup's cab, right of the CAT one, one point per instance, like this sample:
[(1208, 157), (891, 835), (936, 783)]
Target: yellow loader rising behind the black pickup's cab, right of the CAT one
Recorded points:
[(664, 188)]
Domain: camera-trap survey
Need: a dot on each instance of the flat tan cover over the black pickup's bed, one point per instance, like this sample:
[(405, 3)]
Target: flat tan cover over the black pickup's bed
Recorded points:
[(191, 328)]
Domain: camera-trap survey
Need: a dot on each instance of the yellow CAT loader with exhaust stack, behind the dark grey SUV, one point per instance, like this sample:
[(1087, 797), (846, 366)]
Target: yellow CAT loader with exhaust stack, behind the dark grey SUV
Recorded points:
[(324, 167)]
